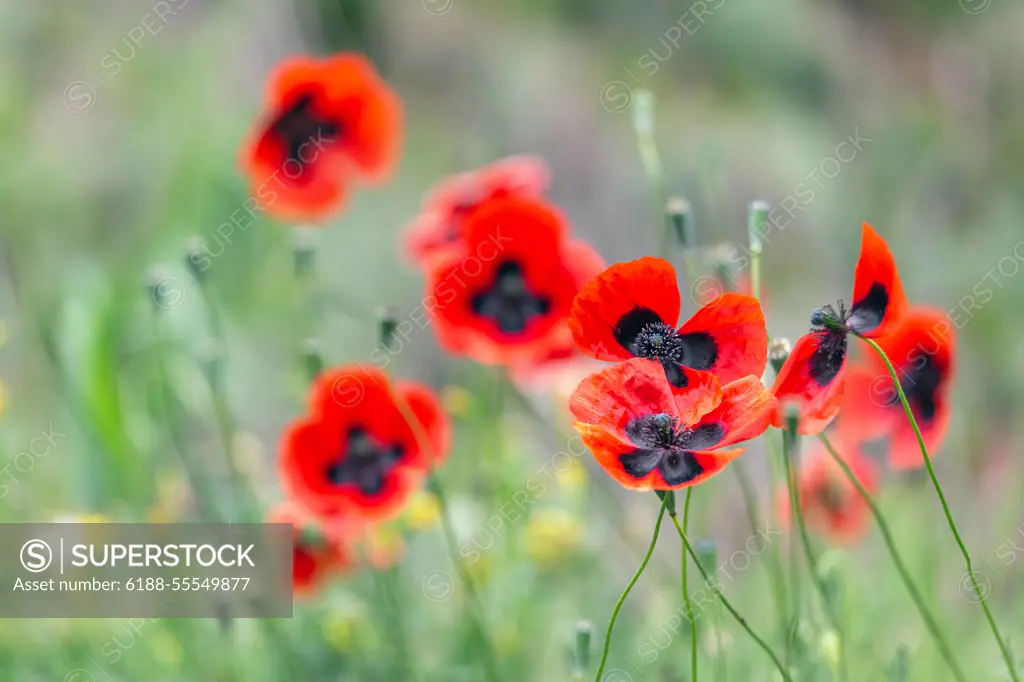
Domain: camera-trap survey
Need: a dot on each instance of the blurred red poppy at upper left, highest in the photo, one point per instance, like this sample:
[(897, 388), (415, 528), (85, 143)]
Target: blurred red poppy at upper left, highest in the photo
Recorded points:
[(328, 122)]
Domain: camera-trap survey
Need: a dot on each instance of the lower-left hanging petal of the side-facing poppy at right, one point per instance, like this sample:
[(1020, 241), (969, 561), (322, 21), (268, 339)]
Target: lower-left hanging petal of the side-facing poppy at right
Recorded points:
[(814, 379)]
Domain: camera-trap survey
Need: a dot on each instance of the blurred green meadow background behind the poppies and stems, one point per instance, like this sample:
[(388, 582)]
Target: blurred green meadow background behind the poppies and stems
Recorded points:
[(120, 131)]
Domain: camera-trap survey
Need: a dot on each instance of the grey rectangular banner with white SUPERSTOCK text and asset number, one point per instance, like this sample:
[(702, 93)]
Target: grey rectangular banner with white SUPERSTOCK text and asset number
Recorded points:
[(72, 571)]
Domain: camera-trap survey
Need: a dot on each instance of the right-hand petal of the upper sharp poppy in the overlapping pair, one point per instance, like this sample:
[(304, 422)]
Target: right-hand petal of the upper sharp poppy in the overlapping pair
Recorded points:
[(729, 337)]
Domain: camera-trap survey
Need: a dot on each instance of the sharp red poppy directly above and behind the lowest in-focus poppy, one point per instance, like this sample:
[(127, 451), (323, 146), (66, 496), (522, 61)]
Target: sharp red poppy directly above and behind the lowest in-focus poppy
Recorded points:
[(631, 310)]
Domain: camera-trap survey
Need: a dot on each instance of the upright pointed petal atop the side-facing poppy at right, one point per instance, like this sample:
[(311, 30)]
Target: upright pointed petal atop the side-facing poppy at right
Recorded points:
[(879, 302)]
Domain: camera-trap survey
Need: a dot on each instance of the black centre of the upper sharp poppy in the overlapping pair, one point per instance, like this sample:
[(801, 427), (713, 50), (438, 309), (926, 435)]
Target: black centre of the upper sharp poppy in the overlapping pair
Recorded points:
[(645, 334)]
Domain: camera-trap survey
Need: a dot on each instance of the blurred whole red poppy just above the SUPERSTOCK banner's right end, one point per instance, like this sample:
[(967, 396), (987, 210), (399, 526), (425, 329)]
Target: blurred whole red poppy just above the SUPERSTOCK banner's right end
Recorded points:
[(355, 455)]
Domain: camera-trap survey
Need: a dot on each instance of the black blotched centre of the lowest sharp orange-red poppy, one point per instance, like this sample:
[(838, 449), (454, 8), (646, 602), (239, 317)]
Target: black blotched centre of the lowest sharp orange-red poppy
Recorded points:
[(663, 446)]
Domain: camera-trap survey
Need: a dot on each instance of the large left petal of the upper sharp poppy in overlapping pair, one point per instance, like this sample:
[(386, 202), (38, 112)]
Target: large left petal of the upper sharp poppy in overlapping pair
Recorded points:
[(612, 309)]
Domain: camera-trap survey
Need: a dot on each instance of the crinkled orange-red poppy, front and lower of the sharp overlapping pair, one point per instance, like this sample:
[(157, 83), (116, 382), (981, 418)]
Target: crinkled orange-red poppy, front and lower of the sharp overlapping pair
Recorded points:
[(649, 435)]
